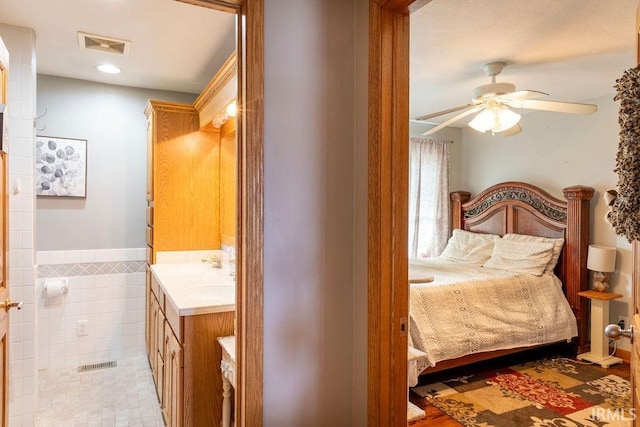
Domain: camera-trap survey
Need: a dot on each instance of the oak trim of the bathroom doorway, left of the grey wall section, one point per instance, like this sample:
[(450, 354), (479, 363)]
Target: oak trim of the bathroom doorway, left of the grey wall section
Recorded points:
[(250, 206)]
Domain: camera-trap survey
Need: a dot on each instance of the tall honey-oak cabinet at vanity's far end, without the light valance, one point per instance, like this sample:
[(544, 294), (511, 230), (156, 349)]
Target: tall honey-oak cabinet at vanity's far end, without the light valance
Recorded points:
[(183, 180)]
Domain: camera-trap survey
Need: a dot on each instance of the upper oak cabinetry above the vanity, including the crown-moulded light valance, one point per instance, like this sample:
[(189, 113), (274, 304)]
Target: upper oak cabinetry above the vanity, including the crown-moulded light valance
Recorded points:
[(191, 169)]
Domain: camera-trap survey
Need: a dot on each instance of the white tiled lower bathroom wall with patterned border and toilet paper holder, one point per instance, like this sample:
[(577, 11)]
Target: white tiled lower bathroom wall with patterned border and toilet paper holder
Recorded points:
[(106, 288)]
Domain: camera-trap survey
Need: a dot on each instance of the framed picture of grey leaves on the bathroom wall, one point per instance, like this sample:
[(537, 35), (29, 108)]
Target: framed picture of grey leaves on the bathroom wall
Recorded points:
[(61, 167)]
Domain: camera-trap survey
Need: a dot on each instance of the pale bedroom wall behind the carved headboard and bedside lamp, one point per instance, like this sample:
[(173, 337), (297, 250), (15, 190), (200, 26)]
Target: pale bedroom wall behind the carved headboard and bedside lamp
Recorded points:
[(556, 151)]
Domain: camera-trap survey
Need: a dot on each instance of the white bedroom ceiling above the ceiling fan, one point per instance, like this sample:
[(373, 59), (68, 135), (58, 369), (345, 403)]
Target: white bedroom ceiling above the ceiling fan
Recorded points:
[(574, 50)]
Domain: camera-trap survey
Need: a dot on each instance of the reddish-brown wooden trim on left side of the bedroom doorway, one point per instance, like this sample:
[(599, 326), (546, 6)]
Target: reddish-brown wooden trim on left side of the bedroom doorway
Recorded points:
[(388, 304)]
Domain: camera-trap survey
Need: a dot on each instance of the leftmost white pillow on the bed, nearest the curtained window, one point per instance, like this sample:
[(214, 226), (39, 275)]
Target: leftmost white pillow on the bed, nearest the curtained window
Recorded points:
[(469, 248)]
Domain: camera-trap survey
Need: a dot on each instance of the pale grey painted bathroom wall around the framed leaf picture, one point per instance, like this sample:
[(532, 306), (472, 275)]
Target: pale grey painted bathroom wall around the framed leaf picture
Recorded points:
[(111, 119)]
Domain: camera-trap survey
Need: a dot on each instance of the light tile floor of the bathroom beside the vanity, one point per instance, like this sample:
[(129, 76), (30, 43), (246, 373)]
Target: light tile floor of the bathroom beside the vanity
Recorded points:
[(120, 396)]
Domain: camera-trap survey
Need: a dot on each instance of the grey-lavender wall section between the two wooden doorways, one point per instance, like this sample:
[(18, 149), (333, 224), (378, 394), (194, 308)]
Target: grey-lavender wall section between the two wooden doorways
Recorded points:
[(309, 213)]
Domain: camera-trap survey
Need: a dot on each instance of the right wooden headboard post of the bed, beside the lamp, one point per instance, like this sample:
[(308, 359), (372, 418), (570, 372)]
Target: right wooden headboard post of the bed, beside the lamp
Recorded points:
[(577, 243)]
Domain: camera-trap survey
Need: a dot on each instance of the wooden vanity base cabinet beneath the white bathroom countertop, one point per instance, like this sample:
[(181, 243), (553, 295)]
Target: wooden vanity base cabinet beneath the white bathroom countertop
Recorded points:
[(186, 361)]
